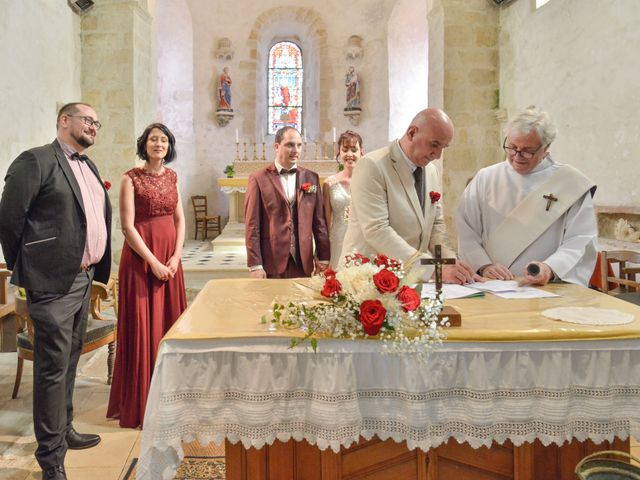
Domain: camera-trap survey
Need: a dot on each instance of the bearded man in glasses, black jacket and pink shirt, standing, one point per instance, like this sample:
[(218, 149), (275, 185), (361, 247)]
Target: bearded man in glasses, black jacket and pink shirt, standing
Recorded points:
[(55, 226)]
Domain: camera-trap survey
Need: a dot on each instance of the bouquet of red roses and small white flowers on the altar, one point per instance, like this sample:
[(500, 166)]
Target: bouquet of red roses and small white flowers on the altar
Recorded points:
[(369, 298)]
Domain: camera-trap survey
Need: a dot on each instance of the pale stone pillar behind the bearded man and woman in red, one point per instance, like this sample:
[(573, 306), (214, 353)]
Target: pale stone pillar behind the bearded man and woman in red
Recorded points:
[(117, 80)]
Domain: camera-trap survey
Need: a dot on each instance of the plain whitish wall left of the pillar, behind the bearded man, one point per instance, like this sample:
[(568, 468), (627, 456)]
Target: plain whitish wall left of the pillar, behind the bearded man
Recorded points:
[(40, 49)]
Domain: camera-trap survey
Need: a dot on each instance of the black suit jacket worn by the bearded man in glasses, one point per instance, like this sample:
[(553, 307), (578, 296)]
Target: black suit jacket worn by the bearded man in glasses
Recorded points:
[(43, 223)]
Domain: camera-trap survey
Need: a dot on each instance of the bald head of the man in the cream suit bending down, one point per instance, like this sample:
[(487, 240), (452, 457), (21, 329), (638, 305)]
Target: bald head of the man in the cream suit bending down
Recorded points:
[(429, 133)]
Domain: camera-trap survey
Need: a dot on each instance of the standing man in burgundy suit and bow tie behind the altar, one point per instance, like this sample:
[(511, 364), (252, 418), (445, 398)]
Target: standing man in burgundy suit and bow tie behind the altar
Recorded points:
[(283, 215)]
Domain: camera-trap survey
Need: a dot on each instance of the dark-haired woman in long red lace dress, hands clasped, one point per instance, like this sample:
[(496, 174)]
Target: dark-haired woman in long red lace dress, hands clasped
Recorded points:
[(151, 282)]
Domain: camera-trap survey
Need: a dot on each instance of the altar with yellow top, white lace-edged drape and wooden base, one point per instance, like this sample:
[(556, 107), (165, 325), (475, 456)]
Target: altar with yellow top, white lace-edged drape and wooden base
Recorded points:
[(511, 385)]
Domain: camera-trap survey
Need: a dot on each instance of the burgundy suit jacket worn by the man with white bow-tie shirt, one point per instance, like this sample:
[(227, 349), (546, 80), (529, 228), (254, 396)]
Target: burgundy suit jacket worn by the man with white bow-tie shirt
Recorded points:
[(268, 221)]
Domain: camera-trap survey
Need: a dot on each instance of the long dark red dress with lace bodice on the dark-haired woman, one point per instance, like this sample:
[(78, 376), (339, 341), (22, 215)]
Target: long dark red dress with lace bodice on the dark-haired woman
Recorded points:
[(147, 307)]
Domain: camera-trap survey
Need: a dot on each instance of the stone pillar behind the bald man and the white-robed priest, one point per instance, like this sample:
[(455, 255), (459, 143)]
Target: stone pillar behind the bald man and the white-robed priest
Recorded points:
[(463, 80)]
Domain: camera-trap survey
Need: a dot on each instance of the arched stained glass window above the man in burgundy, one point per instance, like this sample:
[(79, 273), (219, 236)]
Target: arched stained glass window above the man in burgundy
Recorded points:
[(285, 87)]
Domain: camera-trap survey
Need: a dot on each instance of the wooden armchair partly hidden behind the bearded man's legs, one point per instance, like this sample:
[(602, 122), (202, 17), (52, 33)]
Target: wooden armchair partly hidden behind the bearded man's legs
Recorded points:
[(100, 331)]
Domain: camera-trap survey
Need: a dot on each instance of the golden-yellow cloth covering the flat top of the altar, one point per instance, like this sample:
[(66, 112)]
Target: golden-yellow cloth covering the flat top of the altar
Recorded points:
[(237, 306)]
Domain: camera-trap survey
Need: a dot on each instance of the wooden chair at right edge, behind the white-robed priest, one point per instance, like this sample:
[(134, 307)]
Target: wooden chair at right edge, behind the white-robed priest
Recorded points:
[(625, 285)]
